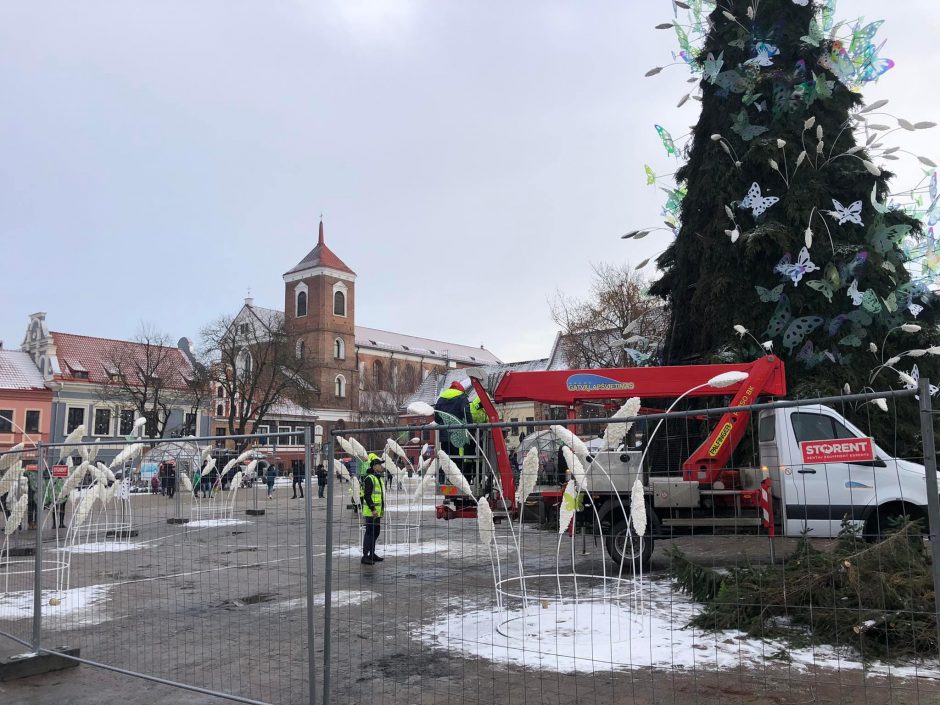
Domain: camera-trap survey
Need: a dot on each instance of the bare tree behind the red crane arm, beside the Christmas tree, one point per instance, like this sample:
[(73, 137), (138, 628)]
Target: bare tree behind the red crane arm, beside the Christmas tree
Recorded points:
[(618, 325)]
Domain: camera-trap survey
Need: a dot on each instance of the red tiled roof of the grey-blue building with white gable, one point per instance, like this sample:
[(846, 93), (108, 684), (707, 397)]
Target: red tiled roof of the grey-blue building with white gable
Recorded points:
[(99, 356)]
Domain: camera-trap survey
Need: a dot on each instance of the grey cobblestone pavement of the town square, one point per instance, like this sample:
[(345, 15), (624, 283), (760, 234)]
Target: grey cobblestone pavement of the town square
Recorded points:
[(224, 607)]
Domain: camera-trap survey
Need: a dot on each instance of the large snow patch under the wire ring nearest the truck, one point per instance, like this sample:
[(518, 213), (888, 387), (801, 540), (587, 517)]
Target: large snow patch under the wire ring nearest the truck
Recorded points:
[(607, 636)]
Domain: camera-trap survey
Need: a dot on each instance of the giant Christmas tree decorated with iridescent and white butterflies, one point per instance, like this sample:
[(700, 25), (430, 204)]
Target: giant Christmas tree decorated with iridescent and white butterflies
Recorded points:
[(785, 226)]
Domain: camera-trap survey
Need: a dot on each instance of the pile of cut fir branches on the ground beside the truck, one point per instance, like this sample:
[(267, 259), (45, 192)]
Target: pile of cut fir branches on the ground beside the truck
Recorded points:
[(875, 598)]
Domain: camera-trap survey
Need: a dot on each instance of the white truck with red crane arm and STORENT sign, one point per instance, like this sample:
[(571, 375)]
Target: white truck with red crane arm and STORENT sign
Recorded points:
[(815, 466)]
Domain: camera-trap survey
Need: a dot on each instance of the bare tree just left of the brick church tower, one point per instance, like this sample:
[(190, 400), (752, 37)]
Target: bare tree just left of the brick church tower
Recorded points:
[(252, 359)]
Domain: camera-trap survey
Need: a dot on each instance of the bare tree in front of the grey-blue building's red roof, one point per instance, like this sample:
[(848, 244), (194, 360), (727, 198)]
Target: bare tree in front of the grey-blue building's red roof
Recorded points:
[(151, 376)]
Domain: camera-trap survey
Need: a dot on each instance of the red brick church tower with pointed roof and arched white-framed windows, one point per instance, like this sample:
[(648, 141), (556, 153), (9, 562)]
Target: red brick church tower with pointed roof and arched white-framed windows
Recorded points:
[(319, 312)]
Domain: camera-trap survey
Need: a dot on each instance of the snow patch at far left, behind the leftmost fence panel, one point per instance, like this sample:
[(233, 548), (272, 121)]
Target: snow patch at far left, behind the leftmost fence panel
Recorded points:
[(78, 607)]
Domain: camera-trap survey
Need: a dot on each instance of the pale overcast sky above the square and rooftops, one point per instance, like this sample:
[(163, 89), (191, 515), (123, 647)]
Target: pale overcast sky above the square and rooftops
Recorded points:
[(470, 158)]
